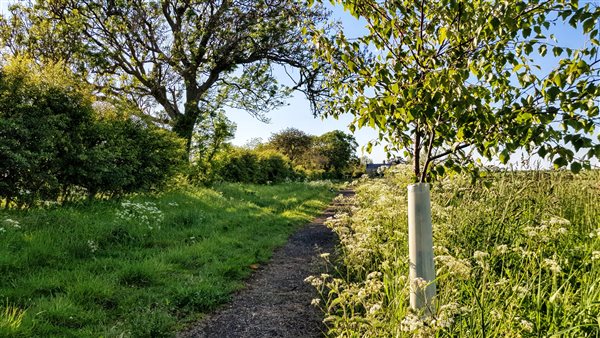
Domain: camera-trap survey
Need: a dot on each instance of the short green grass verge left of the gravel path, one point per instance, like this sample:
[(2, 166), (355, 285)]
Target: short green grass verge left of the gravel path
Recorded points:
[(143, 269)]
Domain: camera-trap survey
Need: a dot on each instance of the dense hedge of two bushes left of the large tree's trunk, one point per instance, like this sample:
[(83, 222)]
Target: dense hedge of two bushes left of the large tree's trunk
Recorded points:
[(57, 142)]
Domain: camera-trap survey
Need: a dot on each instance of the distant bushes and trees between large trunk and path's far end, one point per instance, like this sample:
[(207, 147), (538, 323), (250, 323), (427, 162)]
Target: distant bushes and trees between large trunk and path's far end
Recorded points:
[(290, 154)]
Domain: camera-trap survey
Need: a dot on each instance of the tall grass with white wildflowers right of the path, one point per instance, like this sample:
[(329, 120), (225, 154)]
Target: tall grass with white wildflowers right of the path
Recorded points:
[(517, 255)]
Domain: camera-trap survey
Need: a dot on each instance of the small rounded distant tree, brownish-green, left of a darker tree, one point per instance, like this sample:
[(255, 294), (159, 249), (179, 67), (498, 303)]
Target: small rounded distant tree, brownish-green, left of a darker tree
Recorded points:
[(291, 142)]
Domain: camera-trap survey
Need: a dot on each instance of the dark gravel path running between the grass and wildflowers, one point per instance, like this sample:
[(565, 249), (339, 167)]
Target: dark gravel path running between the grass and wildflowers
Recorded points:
[(276, 301)]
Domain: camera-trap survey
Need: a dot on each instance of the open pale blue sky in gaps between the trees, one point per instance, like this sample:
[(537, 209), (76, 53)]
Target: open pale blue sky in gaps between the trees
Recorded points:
[(296, 113)]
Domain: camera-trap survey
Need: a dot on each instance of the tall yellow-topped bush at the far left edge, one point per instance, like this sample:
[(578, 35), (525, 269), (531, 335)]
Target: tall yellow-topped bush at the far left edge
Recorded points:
[(42, 124)]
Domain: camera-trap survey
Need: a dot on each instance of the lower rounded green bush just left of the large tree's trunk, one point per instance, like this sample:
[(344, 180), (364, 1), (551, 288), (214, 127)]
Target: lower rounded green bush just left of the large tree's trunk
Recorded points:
[(124, 156)]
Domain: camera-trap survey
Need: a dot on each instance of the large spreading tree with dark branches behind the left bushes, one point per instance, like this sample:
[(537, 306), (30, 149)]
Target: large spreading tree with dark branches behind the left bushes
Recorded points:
[(188, 57)]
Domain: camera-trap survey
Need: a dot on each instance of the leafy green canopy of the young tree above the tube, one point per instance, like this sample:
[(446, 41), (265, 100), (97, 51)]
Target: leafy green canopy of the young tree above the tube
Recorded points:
[(453, 81)]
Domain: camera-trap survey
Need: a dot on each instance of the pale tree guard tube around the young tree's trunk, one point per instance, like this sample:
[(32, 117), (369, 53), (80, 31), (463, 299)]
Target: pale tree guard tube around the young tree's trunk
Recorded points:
[(420, 247)]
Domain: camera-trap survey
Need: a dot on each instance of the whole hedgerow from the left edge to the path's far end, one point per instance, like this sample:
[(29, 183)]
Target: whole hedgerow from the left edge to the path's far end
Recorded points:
[(60, 141)]
